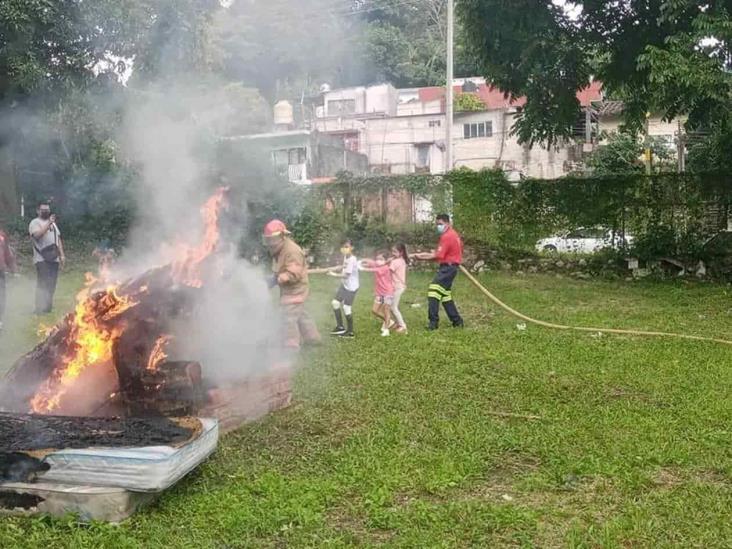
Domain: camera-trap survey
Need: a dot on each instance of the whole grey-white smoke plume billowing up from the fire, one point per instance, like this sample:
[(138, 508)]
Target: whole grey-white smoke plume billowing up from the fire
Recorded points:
[(167, 129)]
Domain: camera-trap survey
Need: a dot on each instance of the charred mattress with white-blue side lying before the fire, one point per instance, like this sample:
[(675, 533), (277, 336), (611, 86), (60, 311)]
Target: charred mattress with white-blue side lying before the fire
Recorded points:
[(141, 455)]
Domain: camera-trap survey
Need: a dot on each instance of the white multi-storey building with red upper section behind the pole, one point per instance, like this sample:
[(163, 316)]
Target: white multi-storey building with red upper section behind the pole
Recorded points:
[(403, 131)]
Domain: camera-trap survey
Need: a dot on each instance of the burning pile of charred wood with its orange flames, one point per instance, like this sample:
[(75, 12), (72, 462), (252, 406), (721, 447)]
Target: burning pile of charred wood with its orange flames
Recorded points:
[(109, 357)]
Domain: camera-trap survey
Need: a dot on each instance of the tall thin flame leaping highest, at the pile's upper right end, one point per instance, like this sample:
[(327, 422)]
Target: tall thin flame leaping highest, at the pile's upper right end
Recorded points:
[(187, 269)]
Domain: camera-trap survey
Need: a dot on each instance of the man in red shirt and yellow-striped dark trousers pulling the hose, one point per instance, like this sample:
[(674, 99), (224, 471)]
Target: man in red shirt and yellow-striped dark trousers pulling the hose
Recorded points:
[(449, 256)]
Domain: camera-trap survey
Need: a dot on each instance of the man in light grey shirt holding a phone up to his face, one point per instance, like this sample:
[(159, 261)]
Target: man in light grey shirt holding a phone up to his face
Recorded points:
[(48, 256)]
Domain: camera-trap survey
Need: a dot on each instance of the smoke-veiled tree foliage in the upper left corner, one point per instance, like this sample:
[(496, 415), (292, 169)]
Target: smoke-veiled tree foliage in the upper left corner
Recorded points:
[(61, 102)]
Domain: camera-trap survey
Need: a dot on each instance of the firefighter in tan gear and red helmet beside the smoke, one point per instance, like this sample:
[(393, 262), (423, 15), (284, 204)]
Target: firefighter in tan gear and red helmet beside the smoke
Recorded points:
[(290, 273)]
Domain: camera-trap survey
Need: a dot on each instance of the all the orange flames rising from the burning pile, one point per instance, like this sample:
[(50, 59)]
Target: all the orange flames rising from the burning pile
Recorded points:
[(96, 325)]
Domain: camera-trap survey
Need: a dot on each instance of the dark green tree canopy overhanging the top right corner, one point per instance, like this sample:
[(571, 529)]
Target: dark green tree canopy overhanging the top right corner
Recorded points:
[(664, 55)]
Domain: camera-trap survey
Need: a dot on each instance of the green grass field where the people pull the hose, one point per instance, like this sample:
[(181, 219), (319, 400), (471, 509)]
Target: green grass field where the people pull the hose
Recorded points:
[(401, 441)]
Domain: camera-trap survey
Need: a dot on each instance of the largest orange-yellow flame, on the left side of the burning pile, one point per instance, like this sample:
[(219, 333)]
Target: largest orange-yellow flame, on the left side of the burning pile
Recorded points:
[(89, 342)]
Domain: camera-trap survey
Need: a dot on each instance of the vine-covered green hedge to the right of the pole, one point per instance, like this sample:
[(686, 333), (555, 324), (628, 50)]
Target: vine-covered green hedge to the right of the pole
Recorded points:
[(668, 214)]
